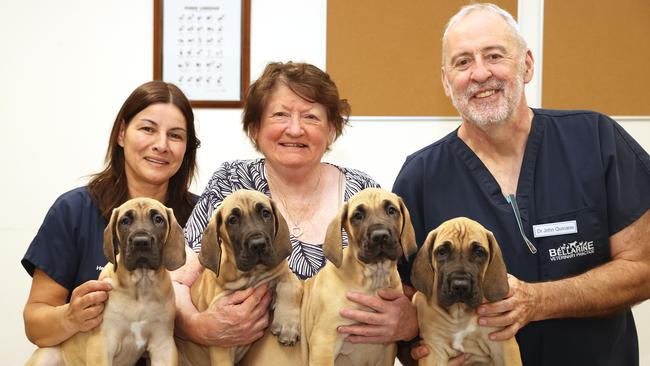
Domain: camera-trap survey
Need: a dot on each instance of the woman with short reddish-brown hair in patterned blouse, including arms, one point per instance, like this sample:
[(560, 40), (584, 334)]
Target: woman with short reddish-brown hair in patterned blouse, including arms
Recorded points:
[(292, 115)]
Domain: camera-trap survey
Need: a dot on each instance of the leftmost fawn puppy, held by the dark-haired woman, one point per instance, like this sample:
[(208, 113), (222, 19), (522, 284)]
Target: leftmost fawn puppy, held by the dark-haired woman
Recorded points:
[(139, 313)]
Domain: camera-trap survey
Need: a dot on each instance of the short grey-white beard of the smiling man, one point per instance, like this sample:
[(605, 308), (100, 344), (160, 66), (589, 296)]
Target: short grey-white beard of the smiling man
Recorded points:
[(489, 114)]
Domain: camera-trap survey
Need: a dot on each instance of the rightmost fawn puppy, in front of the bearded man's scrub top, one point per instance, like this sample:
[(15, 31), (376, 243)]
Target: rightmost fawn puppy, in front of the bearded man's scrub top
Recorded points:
[(458, 266)]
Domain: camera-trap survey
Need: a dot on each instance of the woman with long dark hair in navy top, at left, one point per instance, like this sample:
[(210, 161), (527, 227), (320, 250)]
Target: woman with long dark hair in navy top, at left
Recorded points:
[(151, 153)]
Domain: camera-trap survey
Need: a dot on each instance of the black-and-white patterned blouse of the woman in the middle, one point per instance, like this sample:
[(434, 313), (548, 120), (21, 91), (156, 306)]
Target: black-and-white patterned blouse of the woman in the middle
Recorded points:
[(305, 259)]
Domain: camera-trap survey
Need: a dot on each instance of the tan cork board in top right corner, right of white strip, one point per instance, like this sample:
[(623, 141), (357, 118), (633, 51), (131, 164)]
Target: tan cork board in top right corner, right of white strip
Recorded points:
[(597, 56)]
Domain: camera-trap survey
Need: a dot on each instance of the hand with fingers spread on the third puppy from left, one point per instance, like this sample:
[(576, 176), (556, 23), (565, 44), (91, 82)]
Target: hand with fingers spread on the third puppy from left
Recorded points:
[(393, 318)]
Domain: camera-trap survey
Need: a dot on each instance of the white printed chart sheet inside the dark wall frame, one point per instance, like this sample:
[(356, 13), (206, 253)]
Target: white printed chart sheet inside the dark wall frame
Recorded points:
[(202, 48)]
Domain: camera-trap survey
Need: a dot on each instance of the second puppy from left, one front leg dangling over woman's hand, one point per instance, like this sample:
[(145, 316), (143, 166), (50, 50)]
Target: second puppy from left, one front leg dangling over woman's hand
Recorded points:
[(245, 245)]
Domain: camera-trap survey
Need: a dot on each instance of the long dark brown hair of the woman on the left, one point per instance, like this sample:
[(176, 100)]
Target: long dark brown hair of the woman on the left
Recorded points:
[(109, 189)]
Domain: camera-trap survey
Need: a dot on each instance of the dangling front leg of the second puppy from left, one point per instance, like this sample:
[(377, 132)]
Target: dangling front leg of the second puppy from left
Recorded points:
[(286, 316)]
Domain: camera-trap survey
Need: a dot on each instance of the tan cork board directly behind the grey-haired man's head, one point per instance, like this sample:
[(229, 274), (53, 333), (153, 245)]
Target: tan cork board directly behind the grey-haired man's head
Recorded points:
[(385, 55)]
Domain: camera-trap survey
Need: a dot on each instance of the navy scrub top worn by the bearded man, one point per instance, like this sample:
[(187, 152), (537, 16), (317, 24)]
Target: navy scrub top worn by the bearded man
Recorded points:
[(578, 165)]
